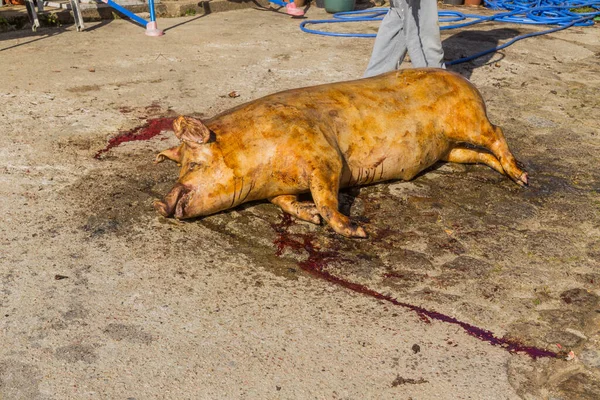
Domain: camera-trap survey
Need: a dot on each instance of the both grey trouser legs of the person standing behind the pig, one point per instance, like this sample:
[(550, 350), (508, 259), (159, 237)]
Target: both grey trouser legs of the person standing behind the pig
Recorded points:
[(410, 25)]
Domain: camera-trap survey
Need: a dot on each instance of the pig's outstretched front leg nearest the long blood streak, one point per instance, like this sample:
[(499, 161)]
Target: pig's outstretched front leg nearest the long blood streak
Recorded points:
[(324, 189)]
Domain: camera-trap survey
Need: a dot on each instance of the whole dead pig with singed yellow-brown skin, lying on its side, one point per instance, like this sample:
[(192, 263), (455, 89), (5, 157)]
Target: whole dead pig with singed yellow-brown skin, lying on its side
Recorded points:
[(321, 138)]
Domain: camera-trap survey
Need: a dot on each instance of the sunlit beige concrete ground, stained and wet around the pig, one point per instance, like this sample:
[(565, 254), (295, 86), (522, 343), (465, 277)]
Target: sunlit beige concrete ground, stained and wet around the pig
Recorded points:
[(101, 298)]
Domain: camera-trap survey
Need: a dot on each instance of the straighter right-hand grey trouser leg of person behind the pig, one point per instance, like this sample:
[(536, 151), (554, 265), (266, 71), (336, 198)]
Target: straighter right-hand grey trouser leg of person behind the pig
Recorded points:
[(423, 34)]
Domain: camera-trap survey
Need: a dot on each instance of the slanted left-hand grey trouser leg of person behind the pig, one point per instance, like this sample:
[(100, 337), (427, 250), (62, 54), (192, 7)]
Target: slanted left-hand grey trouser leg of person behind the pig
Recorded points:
[(390, 44)]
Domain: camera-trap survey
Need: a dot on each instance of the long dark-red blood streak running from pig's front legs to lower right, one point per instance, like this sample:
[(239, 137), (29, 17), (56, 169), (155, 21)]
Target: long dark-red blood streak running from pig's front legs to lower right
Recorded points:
[(318, 260)]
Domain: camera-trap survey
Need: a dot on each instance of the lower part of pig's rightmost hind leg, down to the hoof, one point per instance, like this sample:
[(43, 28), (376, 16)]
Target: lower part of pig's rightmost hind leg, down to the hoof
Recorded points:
[(492, 138)]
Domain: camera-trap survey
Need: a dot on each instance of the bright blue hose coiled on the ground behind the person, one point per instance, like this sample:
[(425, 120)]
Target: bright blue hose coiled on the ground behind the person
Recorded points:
[(531, 12)]
